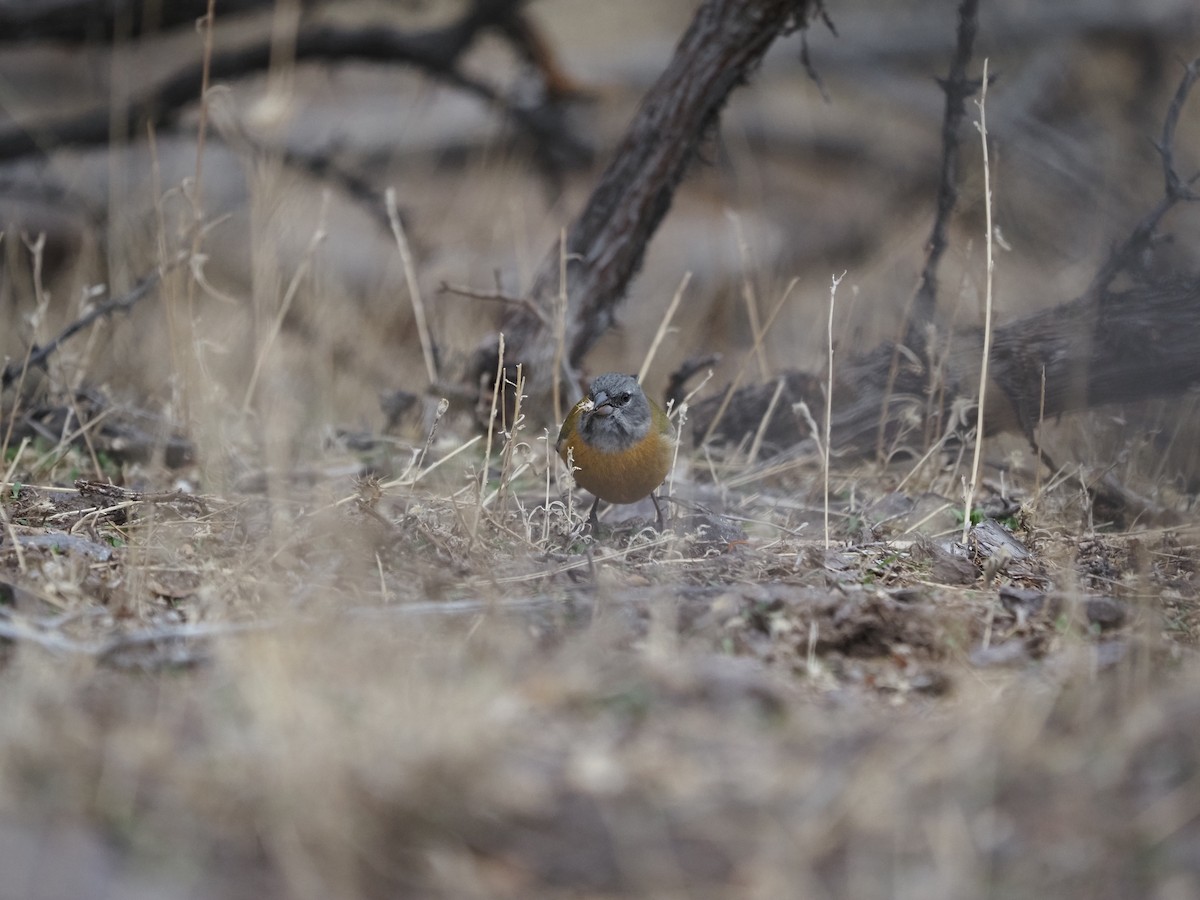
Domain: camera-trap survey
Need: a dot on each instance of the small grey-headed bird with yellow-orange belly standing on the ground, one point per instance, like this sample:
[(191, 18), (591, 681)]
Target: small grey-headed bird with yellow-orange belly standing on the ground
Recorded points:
[(620, 442)]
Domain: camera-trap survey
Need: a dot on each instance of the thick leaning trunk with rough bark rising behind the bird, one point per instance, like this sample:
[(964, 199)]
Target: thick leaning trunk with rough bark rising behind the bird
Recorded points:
[(607, 244)]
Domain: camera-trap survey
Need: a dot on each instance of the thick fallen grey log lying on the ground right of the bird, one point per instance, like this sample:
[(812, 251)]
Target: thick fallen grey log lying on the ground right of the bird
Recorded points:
[(1118, 347)]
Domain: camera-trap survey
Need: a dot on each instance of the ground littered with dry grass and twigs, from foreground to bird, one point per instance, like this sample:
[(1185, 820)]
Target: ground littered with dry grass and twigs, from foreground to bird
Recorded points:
[(424, 682)]
